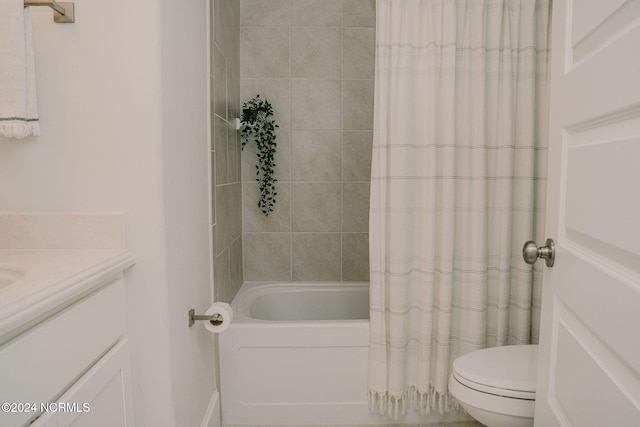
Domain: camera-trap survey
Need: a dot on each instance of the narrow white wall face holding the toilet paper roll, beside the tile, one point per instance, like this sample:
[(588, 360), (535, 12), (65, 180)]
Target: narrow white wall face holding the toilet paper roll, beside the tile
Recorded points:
[(186, 201)]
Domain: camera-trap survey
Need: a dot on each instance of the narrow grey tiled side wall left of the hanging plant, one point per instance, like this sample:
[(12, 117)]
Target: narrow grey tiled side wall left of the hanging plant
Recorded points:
[(226, 198)]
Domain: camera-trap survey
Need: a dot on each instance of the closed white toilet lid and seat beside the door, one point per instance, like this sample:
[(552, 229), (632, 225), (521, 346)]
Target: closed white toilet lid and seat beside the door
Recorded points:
[(509, 368)]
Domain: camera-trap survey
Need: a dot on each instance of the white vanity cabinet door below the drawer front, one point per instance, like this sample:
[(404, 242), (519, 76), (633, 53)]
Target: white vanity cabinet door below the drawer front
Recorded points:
[(100, 398)]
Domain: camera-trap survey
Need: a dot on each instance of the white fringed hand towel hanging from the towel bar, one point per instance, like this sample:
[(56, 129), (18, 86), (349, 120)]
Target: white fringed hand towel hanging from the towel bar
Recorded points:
[(18, 107)]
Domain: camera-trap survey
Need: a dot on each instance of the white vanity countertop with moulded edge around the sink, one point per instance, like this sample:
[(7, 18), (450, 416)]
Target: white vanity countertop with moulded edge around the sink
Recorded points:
[(52, 279)]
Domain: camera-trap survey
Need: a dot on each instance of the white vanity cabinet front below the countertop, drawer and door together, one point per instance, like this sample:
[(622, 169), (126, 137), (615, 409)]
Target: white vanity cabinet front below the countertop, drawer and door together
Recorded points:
[(72, 368)]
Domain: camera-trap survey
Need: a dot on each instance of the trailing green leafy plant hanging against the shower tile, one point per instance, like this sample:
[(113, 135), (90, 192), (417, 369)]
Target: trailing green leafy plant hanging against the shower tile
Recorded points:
[(258, 125)]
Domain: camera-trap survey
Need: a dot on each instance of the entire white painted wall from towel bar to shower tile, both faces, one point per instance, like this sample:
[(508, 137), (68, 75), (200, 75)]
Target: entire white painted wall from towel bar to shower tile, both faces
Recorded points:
[(122, 105)]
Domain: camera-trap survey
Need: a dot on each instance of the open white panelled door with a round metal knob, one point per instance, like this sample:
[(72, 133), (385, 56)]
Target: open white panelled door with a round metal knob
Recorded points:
[(589, 368)]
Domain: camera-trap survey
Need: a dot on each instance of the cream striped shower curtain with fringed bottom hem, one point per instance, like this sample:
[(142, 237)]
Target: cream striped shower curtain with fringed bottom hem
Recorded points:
[(458, 185)]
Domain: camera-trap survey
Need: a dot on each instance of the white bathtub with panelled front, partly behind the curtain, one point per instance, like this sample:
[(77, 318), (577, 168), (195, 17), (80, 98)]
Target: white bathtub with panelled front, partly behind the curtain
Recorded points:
[(296, 354)]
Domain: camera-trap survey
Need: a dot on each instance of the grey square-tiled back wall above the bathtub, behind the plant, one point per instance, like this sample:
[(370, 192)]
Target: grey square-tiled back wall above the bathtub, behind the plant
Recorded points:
[(314, 61)]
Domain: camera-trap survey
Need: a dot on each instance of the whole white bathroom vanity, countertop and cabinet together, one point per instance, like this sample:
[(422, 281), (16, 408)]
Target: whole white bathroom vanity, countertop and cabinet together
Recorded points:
[(64, 352)]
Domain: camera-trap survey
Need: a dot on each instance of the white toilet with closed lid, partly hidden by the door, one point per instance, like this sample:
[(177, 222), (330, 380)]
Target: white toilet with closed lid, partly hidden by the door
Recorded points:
[(497, 386)]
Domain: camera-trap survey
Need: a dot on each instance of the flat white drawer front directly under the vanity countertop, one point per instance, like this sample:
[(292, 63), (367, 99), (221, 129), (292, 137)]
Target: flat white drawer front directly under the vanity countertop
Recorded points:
[(39, 365)]
